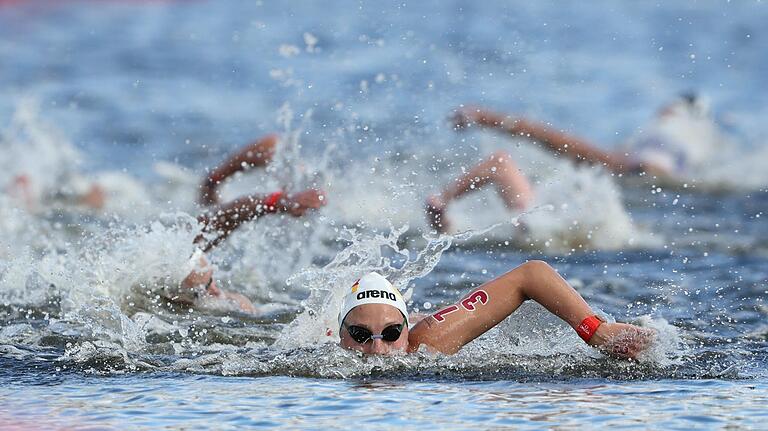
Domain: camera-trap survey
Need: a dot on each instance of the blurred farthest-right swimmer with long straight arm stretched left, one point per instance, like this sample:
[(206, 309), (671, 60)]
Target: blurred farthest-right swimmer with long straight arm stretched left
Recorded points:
[(682, 137)]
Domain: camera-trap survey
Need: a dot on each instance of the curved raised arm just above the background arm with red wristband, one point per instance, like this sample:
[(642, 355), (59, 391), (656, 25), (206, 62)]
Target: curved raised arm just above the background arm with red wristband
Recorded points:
[(253, 155)]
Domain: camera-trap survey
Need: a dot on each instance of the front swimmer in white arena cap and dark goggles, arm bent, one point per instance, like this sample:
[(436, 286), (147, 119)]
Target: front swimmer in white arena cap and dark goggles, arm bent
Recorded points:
[(374, 318)]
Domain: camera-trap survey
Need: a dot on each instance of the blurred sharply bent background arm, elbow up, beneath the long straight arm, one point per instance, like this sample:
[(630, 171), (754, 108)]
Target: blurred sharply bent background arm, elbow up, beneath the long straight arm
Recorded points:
[(499, 169)]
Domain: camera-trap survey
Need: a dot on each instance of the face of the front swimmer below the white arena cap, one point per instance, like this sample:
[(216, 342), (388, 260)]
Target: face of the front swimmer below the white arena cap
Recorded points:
[(375, 318)]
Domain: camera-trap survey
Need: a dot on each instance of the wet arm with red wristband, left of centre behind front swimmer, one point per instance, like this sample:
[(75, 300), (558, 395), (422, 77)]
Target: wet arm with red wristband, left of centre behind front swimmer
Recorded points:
[(224, 220)]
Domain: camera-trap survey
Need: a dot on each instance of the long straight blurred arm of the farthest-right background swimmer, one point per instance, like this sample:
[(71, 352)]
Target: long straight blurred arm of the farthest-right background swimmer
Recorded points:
[(562, 144)]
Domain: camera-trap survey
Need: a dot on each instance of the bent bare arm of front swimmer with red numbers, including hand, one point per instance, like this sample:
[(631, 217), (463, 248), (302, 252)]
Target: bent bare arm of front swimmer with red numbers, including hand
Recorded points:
[(452, 327)]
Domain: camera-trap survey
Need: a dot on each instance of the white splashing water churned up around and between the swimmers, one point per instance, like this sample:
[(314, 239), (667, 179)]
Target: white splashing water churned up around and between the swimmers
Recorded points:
[(110, 283)]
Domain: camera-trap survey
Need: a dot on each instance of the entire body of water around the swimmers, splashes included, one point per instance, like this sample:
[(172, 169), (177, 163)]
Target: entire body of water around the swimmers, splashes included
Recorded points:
[(134, 83)]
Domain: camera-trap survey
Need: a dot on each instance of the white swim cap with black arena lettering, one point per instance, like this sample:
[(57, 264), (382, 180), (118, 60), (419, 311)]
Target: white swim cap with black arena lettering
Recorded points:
[(372, 289)]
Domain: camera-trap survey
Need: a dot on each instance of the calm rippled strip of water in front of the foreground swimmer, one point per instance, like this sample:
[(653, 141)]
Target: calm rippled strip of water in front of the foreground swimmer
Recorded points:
[(171, 401)]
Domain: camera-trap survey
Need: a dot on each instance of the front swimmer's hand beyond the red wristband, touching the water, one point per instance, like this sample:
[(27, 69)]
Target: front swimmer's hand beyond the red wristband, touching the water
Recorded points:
[(622, 340)]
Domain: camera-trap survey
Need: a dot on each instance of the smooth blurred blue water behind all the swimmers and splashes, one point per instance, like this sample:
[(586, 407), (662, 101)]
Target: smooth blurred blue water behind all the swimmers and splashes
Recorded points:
[(164, 72)]
